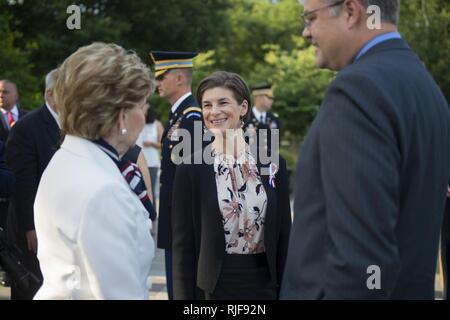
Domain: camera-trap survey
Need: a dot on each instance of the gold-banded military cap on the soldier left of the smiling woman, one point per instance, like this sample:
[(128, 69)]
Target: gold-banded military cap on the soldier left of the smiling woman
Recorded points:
[(167, 60)]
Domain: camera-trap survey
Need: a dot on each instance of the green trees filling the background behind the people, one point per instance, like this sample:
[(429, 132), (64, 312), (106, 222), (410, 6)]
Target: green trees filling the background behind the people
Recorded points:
[(259, 39)]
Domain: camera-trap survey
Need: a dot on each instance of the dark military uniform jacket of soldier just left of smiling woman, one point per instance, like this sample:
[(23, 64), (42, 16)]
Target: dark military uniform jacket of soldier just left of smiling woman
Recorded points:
[(186, 114)]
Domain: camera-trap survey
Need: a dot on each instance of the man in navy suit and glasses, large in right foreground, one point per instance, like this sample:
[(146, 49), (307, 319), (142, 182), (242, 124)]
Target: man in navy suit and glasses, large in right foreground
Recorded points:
[(373, 170)]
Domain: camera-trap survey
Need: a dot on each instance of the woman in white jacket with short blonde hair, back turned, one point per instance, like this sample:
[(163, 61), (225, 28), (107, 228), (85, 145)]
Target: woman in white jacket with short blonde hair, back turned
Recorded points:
[(93, 229)]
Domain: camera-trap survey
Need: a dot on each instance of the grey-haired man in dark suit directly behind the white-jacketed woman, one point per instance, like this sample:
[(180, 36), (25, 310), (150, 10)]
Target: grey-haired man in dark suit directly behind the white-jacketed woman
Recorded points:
[(31, 144)]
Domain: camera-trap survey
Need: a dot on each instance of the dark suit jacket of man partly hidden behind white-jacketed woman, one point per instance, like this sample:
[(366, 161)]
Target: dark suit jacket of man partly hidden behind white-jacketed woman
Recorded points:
[(32, 142)]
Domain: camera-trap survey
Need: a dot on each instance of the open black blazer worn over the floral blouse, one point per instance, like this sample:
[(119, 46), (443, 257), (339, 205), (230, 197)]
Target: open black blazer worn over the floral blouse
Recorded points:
[(198, 245)]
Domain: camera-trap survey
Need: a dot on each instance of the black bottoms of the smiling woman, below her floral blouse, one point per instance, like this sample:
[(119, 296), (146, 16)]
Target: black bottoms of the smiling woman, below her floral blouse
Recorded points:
[(244, 277)]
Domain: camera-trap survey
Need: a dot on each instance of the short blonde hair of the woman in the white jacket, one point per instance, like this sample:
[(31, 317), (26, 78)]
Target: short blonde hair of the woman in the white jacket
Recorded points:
[(94, 84)]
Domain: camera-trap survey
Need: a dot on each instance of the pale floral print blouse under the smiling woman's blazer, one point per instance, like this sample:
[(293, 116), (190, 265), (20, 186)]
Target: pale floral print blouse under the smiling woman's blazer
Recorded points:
[(242, 201)]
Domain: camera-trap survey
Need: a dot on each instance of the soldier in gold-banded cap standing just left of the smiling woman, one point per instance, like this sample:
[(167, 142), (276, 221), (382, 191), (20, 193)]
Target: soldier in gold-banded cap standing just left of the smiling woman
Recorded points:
[(173, 71)]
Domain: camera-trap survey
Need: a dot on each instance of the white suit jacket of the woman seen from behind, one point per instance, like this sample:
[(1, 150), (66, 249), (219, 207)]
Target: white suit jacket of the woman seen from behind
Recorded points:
[(93, 233)]
